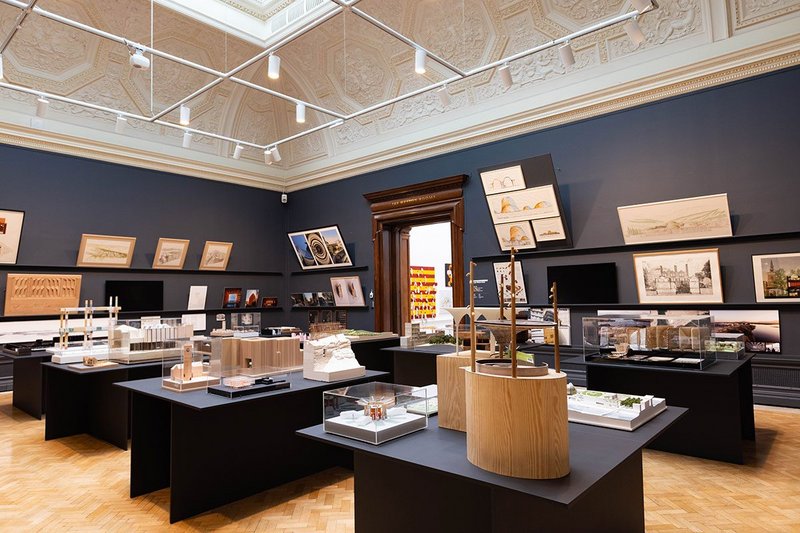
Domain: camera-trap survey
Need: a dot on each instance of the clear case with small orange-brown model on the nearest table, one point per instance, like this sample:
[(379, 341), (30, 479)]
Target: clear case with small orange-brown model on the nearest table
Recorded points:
[(373, 412)]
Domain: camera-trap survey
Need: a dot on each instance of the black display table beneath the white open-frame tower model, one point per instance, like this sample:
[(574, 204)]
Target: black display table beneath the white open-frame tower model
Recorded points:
[(85, 401)]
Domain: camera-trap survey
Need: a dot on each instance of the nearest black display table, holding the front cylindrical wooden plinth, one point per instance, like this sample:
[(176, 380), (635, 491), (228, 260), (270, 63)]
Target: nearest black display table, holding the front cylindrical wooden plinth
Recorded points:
[(423, 482)]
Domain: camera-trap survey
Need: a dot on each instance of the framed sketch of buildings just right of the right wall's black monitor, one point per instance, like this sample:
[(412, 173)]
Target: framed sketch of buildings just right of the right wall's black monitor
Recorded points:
[(687, 276)]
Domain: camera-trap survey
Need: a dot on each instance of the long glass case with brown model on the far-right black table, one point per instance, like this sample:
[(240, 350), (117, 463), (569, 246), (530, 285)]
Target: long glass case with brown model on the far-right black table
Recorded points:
[(663, 340)]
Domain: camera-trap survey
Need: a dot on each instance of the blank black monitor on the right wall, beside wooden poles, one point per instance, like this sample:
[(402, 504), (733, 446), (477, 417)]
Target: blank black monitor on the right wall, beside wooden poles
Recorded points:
[(585, 284)]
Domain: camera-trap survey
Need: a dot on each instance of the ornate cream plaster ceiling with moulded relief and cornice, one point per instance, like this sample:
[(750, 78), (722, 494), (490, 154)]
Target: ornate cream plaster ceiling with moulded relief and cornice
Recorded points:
[(346, 65)]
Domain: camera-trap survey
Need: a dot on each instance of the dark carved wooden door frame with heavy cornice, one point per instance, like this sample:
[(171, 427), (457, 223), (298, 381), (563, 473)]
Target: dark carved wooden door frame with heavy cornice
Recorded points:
[(395, 210)]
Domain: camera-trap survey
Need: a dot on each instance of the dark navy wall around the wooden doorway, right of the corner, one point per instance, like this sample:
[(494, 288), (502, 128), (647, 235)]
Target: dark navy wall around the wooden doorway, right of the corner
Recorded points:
[(741, 139)]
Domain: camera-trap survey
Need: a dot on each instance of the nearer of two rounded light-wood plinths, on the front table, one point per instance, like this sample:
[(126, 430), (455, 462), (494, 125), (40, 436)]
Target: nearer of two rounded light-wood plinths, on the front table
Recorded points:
[(518, 426)]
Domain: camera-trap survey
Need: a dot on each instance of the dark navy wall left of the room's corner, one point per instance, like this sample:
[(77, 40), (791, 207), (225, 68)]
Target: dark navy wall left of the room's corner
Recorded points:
[(66, 196)]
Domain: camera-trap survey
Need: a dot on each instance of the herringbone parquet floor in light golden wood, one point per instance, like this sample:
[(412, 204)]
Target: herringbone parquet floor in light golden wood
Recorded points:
[(79, 484)]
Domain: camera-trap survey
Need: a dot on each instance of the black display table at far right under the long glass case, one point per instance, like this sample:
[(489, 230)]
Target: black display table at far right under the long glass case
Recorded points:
[(719, 398)]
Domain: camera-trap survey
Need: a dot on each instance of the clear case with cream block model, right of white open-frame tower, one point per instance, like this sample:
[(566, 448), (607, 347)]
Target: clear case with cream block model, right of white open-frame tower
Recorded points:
[(147, 339)]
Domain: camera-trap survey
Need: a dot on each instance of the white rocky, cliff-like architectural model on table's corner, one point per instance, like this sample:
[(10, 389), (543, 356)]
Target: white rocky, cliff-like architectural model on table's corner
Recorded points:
[(330, 359)]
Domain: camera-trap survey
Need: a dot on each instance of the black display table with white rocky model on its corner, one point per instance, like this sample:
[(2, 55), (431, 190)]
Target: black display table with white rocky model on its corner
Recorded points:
[(211, 450)]
